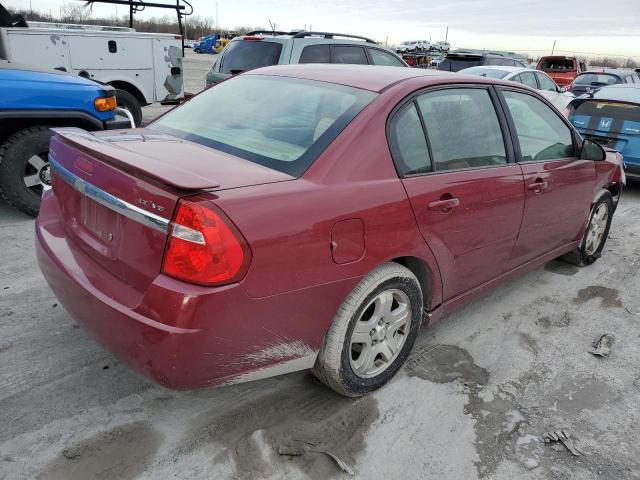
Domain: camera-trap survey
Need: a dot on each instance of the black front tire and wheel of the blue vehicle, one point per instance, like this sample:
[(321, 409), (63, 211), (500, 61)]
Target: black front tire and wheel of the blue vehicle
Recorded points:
[(24, 168)]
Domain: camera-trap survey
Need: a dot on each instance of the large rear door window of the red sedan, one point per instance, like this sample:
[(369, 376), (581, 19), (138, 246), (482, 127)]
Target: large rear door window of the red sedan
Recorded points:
[(462, 128)]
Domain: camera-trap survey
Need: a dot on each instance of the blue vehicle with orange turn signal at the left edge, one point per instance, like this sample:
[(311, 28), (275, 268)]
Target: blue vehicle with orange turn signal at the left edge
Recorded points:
[(32, 101)]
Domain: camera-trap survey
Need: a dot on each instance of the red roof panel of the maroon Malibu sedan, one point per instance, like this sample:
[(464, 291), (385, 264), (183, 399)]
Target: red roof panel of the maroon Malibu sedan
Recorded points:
[(375, 78)]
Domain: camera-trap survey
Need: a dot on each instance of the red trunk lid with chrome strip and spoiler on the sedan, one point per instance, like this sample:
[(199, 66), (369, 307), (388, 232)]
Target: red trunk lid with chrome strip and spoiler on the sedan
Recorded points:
[(118, 191)]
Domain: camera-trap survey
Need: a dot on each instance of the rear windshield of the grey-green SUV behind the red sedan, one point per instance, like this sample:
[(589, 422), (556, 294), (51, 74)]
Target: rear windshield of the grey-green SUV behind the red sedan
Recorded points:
[(243, 55)]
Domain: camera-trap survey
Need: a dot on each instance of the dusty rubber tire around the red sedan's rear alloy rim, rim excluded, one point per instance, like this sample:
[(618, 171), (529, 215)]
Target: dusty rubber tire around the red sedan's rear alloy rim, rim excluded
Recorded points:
[(333, 366)]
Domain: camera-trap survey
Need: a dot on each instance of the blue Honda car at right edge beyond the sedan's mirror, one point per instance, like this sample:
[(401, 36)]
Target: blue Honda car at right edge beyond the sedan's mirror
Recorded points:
[(611, 117)]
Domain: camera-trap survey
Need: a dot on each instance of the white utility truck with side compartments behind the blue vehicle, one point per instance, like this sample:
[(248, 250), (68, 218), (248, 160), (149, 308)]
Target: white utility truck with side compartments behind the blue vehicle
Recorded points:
[(144, 68)]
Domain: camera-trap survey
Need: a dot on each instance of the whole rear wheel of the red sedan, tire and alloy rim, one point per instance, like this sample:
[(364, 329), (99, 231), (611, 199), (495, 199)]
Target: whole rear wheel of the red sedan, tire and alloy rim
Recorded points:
[(342, 363)]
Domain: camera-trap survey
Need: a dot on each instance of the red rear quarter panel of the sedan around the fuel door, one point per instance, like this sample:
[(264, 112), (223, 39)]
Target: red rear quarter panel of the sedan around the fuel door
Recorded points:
[(288, 225)]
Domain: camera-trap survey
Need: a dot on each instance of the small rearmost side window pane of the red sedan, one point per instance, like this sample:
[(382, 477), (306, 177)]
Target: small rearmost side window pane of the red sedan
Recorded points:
[(411, 152)]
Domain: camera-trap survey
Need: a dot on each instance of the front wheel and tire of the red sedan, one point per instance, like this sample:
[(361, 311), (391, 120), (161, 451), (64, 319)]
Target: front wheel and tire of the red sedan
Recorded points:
[(596, 233)]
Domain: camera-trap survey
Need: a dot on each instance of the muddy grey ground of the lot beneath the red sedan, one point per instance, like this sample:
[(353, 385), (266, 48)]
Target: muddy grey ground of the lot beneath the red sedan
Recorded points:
[(480, 388)]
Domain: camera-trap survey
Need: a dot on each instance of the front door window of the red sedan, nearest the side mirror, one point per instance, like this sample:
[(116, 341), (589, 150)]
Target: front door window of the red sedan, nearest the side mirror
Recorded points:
[(541, 133)]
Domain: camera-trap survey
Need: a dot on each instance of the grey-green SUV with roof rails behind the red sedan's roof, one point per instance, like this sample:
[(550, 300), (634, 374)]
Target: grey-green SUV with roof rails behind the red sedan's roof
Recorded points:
[(264, 48)]
